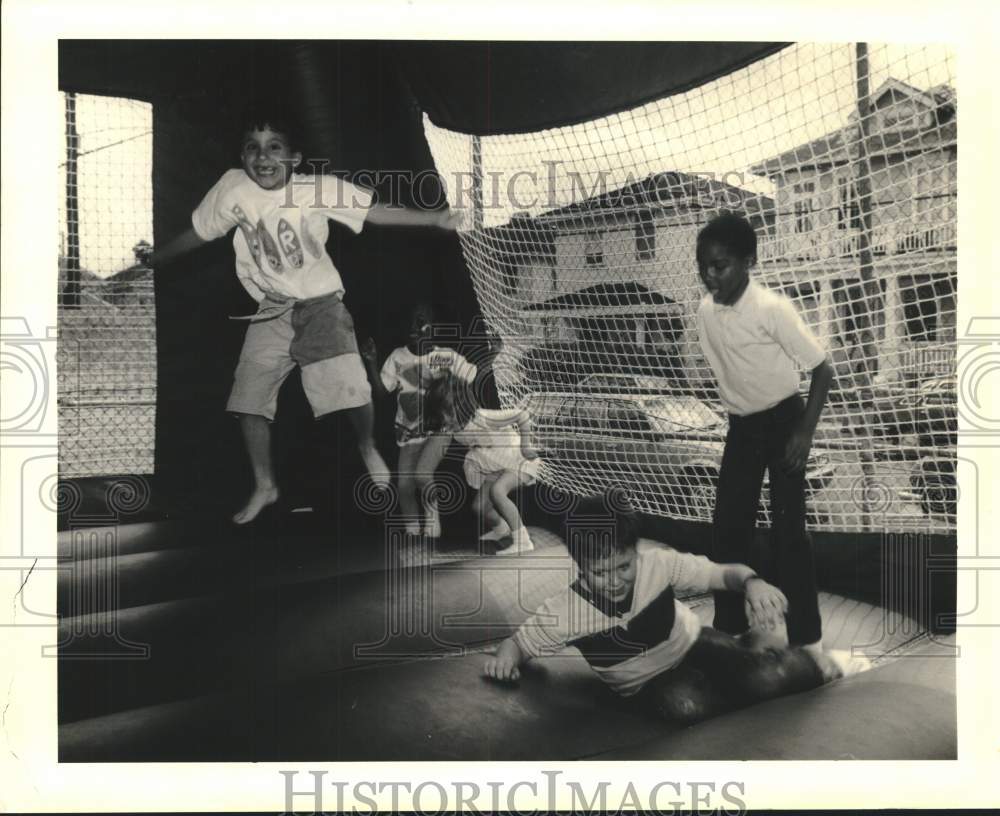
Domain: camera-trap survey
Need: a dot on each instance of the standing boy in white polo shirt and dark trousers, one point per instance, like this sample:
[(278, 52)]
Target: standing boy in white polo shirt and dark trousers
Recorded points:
[(755, 340)]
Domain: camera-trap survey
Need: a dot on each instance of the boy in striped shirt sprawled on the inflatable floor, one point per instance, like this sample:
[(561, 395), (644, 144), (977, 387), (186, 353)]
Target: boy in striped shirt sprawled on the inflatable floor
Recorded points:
[(647, 645)]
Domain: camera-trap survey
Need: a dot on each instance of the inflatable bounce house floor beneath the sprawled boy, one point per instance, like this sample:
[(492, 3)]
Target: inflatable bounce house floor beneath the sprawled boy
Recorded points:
[(259, 649)]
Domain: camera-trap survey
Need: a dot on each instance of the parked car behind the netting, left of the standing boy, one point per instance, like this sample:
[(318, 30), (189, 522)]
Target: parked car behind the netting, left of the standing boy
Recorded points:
[(671, 443)]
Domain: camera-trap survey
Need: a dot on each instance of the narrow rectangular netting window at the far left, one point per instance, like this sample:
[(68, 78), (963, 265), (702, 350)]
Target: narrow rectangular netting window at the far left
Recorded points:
[(107, 342)]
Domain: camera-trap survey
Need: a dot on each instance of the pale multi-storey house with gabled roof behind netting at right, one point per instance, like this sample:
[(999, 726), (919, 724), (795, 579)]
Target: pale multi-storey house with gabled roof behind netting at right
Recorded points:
[(907, 329)]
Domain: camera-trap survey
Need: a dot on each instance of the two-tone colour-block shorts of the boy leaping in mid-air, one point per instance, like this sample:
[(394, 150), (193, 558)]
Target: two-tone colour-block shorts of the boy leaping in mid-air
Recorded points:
[(317, 335)]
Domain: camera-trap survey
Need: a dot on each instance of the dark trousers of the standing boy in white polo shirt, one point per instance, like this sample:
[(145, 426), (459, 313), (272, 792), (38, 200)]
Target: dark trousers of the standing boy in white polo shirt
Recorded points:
[(757, 442)]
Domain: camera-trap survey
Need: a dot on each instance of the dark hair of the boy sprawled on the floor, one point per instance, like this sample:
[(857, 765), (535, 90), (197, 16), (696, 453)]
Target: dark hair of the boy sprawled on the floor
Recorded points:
[(600, 525)]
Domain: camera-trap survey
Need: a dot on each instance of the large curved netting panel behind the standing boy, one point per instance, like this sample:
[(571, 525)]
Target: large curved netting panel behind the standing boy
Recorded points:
[(582, 244)]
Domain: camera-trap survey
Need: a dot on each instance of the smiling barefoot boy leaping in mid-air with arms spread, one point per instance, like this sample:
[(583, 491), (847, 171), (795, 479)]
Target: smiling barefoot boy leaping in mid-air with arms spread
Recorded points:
[(281, 220)]
